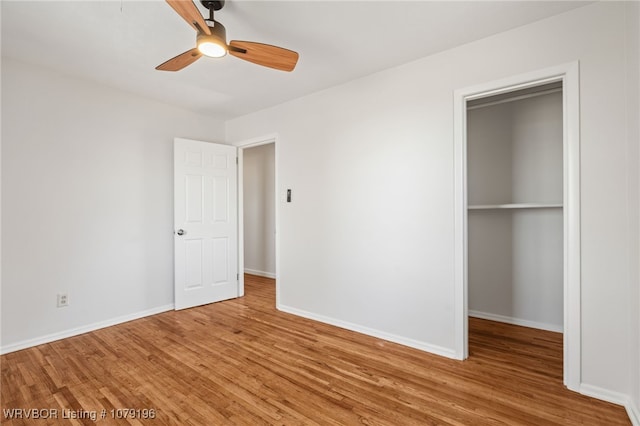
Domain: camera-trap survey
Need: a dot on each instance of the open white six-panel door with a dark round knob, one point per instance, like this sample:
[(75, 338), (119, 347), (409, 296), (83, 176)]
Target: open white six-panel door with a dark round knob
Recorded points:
[(206, 223)]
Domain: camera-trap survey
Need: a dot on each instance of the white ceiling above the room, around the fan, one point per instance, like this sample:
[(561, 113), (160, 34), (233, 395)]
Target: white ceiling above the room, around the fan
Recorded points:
[(119, 43)]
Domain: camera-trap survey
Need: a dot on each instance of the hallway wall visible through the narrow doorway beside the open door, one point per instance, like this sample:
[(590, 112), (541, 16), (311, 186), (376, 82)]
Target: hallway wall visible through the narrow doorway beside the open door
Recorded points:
[(259, 210)]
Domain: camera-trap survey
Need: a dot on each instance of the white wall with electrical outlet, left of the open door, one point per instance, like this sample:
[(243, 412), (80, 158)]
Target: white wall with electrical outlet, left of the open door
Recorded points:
[(87, 198)]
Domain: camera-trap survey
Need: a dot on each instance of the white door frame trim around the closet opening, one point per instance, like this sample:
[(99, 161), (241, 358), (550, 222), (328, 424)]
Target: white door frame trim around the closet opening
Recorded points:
[(569, 74)]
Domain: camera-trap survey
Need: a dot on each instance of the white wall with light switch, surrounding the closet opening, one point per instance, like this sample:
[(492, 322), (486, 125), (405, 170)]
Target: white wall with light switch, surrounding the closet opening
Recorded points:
[(368, 242)]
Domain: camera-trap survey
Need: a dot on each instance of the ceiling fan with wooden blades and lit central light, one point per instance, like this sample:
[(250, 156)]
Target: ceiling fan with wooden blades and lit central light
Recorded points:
[(211, 41)]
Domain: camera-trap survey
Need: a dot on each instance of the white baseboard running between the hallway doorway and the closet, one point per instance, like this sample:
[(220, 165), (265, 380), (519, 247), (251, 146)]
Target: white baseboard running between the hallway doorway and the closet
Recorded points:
[(437, 350)]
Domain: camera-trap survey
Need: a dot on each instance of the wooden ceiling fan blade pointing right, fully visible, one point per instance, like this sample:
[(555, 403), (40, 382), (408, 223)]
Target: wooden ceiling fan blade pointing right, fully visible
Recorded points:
[(264, 54)]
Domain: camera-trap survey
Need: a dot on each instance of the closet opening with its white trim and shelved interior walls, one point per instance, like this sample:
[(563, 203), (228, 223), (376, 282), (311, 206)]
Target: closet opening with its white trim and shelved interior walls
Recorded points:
[(517, 207)]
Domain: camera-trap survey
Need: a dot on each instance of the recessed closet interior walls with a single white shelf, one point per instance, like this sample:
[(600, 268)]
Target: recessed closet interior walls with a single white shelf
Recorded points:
[(514, 202)]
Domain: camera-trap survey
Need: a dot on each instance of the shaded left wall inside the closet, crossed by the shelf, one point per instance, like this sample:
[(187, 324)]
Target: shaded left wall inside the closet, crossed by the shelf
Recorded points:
[(489, 166)]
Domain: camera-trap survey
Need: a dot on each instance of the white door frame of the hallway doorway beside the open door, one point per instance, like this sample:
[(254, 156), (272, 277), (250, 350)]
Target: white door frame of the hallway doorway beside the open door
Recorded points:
[(241, 146)]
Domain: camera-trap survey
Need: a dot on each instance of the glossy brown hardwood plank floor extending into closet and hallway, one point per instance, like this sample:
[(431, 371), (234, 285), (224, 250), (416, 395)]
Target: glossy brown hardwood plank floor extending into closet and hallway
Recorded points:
[(242, 362)]
